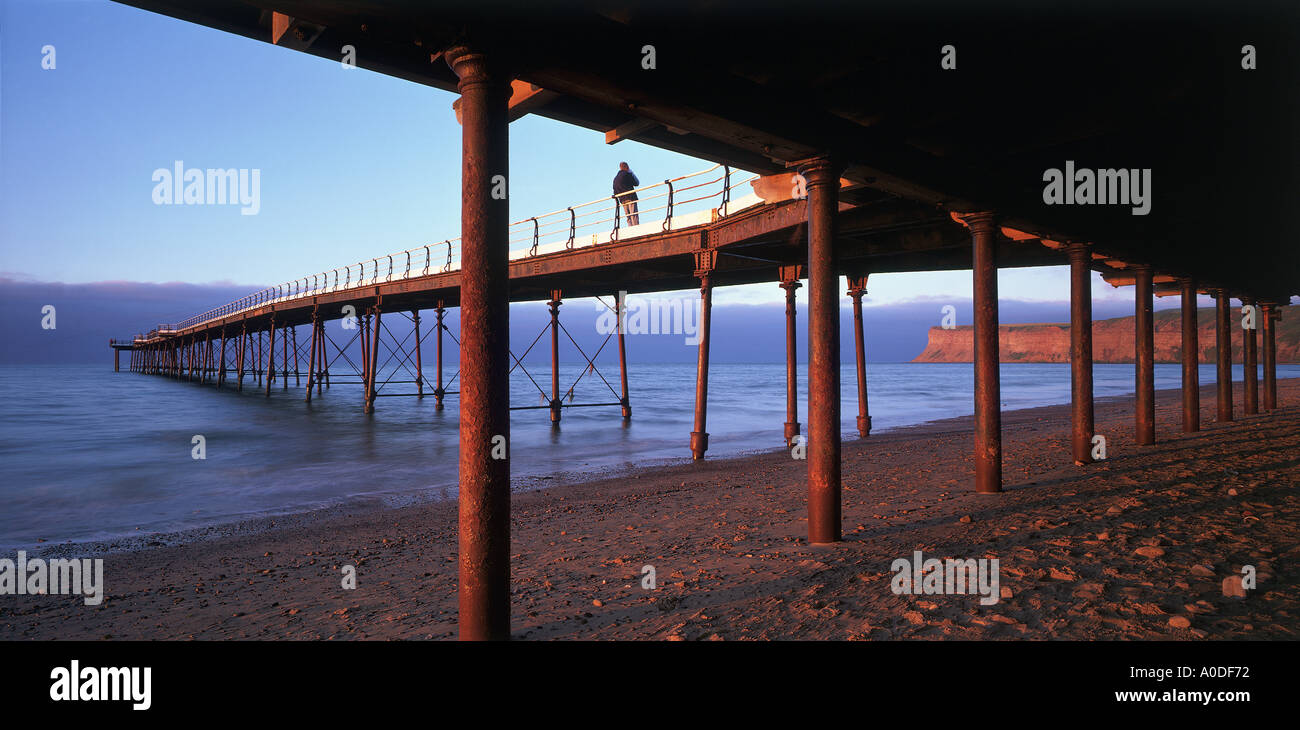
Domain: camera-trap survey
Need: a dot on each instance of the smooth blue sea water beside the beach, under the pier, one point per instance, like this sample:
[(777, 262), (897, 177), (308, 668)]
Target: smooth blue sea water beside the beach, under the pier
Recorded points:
[(89, 454)]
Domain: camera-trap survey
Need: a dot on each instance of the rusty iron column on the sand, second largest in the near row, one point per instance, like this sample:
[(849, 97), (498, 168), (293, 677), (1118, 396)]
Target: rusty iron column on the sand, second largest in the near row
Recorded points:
[(824, 416)]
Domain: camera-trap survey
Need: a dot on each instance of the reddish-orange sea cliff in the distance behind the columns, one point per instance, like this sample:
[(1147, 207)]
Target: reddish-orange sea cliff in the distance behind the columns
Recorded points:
[(1112, 341)]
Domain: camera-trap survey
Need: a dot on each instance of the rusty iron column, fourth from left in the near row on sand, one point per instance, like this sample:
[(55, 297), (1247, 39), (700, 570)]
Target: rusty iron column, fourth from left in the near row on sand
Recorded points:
[(1082, 424)]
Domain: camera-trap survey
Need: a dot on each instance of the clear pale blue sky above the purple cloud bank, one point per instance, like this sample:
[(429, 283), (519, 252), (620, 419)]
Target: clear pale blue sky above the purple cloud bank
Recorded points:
[(354, 164)]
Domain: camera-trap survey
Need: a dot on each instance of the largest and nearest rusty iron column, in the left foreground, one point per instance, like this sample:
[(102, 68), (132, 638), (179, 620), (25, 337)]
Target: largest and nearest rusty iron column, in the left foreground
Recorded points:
[(484, 346)]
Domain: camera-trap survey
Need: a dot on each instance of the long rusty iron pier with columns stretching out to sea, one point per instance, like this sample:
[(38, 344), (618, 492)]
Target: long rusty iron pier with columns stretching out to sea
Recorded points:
[(817, 184)]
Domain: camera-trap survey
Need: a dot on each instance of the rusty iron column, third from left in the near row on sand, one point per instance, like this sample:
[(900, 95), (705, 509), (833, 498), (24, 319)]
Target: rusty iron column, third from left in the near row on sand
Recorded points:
[(989, 393)]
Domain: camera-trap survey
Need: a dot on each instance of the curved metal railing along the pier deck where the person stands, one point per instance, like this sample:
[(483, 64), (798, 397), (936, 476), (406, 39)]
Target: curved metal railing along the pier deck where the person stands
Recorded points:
[(678, 203)]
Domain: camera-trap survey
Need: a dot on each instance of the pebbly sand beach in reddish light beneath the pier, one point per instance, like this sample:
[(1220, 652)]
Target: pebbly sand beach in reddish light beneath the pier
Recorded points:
[(1136, 547)]
